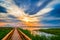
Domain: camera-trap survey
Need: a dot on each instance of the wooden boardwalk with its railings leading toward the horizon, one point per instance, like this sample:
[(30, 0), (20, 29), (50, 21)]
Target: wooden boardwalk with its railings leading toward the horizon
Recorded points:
[(16, 34)]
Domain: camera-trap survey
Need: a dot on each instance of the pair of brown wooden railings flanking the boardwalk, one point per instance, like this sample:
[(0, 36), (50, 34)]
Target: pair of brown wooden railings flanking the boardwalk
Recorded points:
[(22, 35)]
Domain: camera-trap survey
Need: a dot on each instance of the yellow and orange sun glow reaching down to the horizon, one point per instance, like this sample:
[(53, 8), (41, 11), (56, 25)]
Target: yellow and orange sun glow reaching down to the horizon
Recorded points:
[(29, 21)]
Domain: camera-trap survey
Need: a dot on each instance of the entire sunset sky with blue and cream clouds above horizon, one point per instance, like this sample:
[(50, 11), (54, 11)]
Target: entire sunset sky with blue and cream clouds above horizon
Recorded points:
[(43, 12)]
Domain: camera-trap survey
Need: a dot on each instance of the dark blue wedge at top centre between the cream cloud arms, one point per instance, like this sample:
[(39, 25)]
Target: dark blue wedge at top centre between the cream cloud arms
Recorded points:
[(32, 6)]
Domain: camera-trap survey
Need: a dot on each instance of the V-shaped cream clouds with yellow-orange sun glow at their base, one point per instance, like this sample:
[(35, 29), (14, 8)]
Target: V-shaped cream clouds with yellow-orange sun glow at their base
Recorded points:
[(19, 13)]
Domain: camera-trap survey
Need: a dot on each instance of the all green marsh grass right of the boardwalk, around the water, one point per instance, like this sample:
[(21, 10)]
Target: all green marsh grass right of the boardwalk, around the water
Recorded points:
[(37, 37)]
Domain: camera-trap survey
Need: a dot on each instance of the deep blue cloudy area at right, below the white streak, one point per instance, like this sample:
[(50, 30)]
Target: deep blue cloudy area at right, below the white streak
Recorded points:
[(52, 18)]
